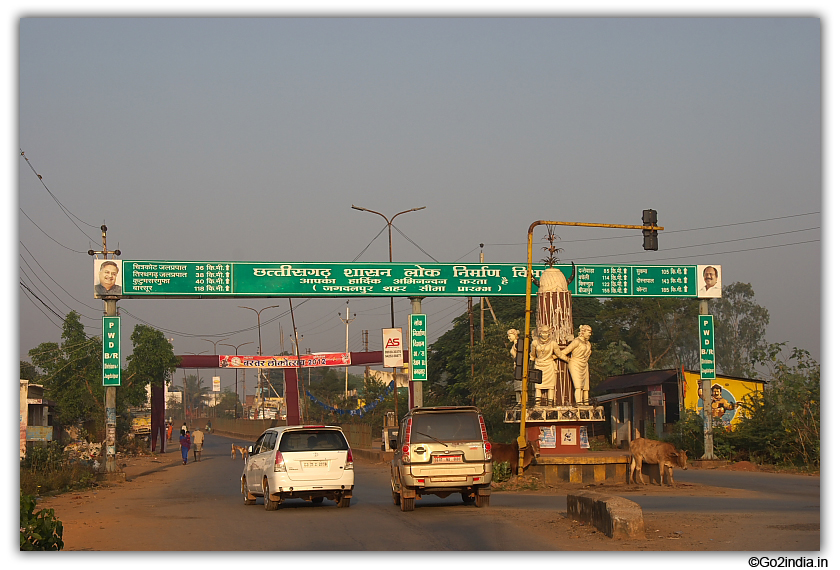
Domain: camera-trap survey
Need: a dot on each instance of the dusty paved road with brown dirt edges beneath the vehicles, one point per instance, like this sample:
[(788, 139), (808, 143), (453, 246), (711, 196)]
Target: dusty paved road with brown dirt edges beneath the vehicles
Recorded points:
[(167, 506)]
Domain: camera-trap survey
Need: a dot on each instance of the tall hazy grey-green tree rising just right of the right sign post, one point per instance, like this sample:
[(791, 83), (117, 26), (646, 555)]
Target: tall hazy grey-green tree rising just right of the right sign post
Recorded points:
[(740, 324)]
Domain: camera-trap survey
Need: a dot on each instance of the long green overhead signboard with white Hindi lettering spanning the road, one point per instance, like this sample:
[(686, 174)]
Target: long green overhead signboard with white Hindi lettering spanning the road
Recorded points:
[(205, 279)]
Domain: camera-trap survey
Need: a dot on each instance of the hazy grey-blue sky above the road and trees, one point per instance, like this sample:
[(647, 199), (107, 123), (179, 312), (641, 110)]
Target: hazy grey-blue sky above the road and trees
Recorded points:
[(249, 139)]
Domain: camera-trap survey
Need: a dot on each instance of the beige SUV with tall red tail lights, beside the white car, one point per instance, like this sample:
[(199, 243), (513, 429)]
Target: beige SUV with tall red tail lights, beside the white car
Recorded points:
[(440, 451)]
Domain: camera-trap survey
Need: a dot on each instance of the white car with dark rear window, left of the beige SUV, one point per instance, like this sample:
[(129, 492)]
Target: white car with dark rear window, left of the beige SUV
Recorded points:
[(303, 462)]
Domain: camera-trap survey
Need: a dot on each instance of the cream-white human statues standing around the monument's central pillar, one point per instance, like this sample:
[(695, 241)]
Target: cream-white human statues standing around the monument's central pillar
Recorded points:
[(545, 352)]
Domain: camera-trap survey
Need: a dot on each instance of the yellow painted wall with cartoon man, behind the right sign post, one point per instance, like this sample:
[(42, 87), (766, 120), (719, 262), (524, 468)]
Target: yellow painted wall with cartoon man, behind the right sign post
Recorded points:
[(728, 394)]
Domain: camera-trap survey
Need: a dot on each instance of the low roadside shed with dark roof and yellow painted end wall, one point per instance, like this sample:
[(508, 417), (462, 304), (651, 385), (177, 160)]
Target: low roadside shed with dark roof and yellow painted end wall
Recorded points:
[(657, 397)]
